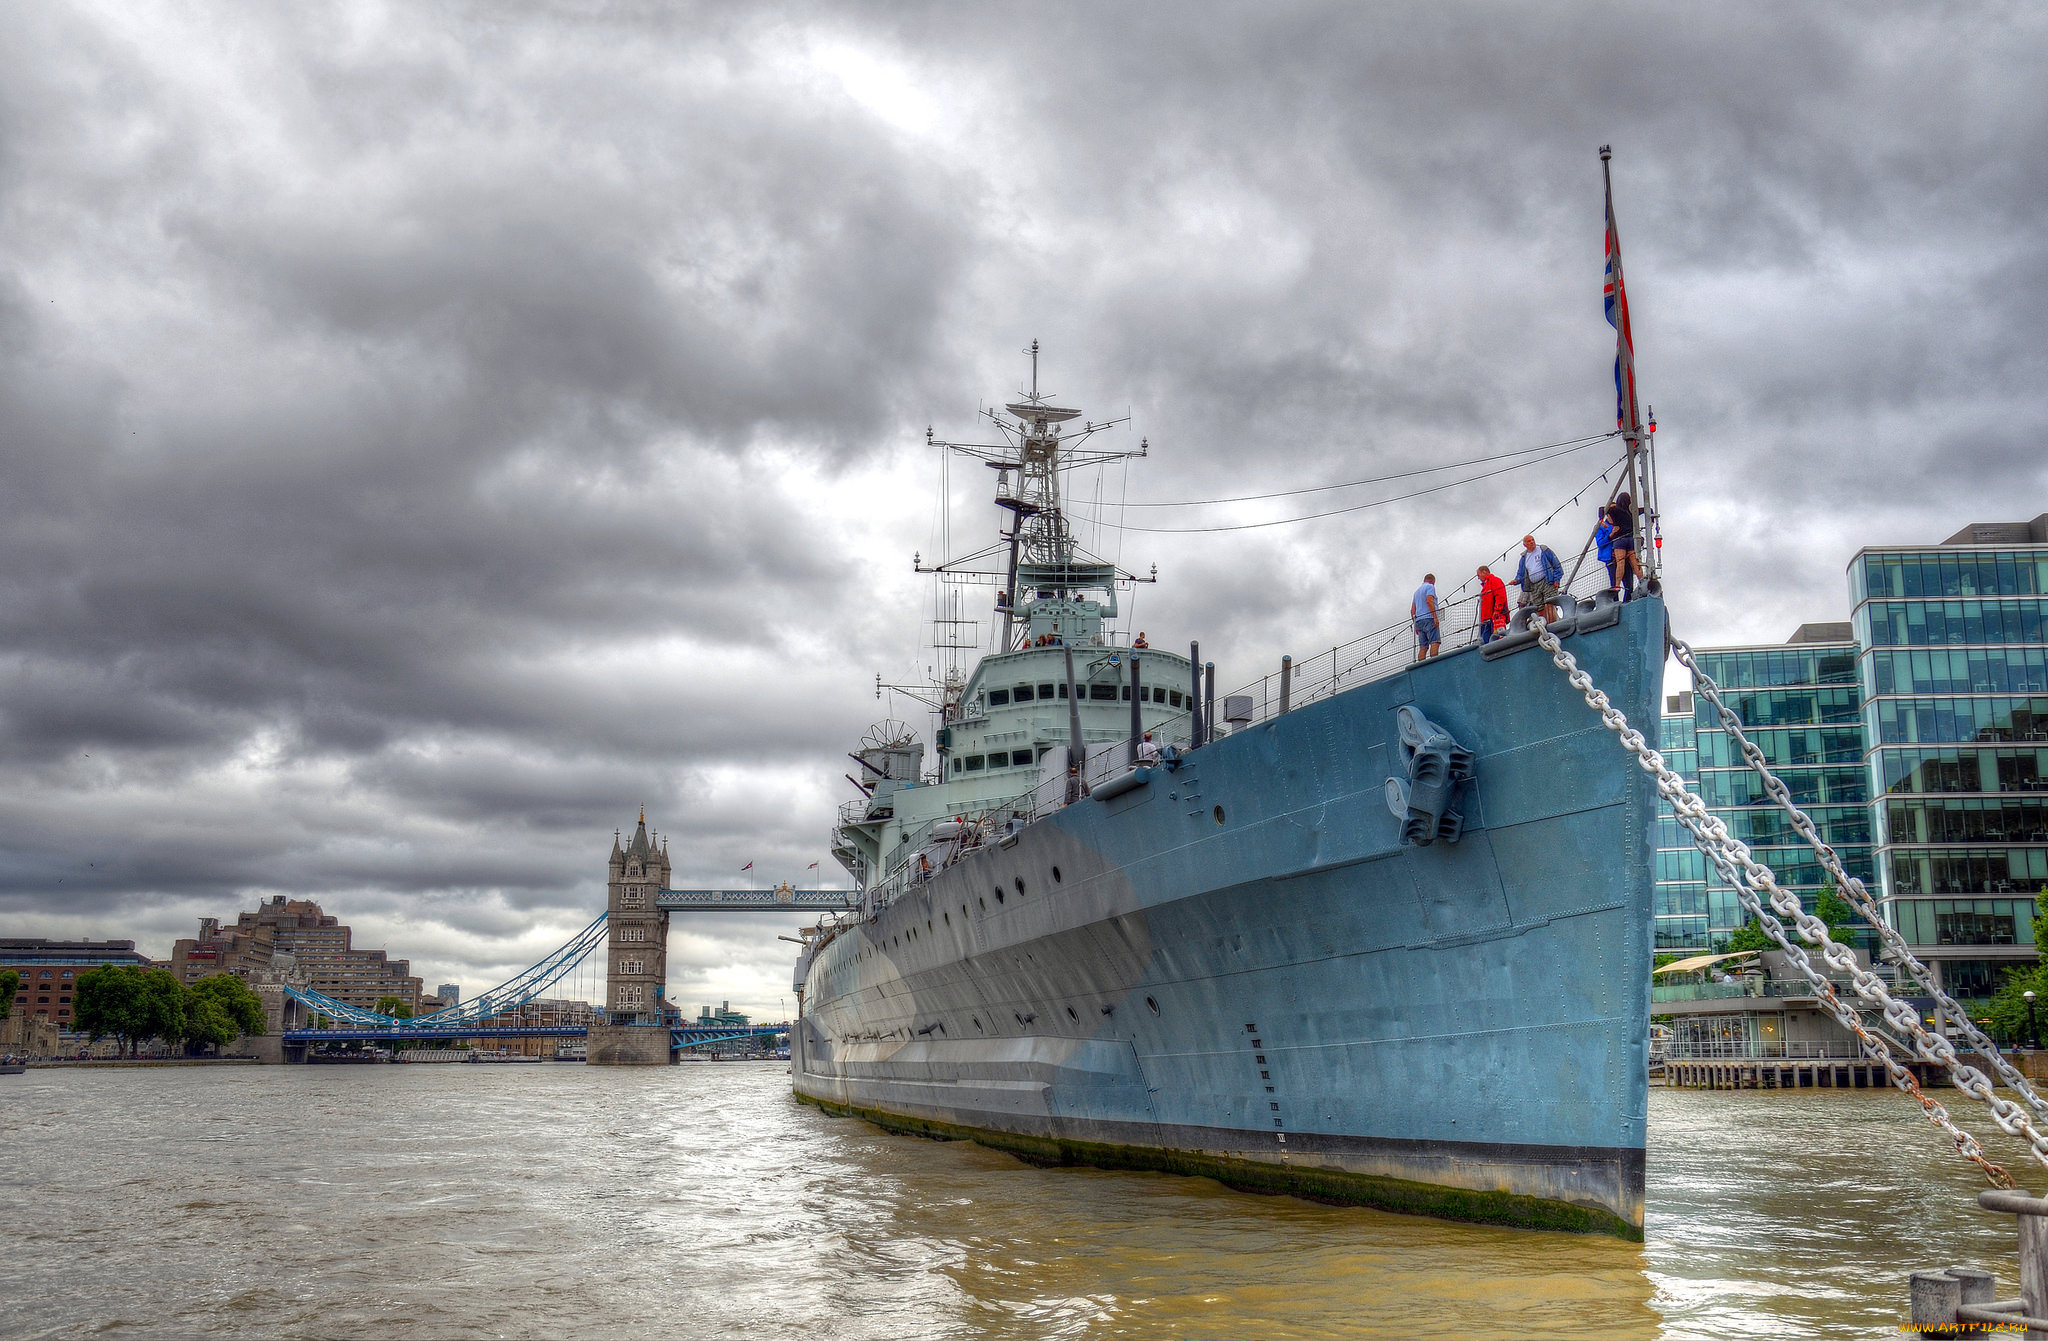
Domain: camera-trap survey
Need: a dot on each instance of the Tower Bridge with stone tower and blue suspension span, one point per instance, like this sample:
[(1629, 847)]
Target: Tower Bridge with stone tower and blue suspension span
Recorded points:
[(638, 1027)]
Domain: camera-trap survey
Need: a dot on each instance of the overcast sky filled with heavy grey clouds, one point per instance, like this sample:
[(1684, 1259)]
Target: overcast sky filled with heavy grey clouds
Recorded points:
[(431, 433)]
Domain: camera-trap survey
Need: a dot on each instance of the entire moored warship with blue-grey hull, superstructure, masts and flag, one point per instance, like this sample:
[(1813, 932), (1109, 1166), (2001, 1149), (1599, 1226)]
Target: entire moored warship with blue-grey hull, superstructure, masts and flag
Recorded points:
[(1377, 939)]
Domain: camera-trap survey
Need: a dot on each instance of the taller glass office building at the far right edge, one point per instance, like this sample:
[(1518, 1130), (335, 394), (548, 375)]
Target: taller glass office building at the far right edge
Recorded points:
[(1955, 677)]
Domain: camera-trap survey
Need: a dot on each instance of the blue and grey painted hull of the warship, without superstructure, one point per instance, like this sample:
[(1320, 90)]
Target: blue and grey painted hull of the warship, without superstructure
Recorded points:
[(1240, 969)]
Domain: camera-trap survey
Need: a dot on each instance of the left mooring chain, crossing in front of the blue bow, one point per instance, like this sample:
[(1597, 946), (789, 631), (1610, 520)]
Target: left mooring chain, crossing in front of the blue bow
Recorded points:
[(1746, 875)]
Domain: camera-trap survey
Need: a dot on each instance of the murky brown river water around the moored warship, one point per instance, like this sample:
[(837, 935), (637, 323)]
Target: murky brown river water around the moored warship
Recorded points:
[(701, 1201)]
